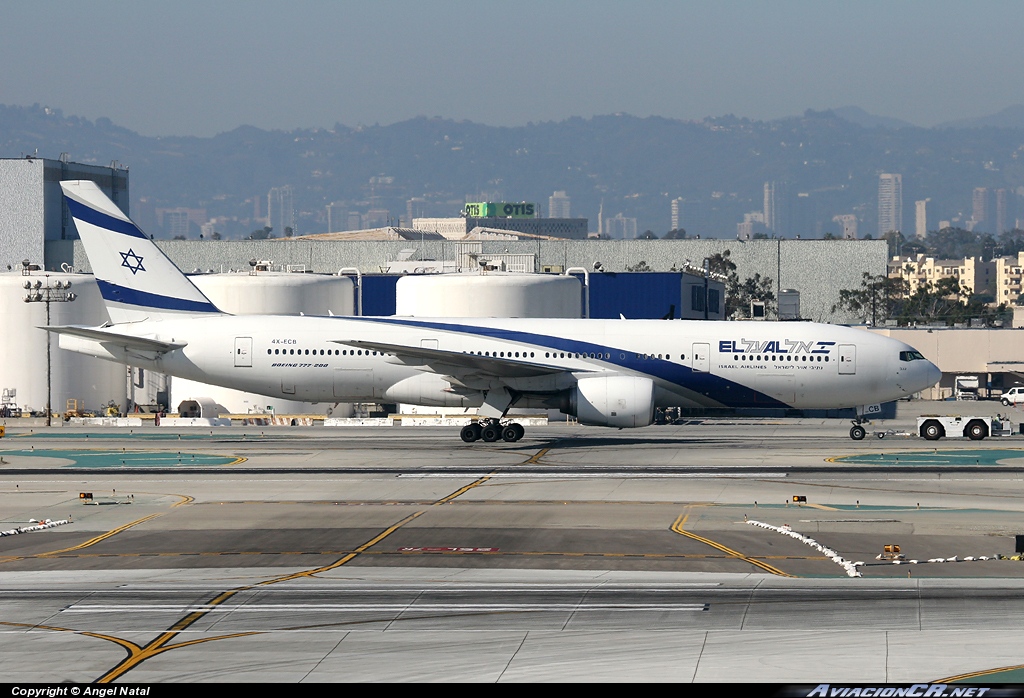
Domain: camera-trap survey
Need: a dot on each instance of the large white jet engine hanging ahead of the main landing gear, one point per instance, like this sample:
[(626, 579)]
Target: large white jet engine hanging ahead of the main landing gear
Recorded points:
[(623, 402)]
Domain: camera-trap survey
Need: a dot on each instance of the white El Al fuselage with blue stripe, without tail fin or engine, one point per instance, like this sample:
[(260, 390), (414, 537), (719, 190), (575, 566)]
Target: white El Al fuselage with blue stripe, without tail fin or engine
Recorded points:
[(692, 364)]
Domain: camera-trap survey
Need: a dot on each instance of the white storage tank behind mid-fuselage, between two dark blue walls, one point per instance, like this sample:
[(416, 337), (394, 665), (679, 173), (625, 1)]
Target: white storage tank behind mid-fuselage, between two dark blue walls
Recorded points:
[(490, 295)]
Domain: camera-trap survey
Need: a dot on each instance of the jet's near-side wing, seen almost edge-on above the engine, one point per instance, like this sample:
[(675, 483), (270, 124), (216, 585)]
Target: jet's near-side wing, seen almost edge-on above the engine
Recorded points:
[(459, 364)]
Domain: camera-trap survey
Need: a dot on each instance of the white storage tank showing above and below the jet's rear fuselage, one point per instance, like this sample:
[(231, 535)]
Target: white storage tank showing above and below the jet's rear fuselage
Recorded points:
[(269, 293)]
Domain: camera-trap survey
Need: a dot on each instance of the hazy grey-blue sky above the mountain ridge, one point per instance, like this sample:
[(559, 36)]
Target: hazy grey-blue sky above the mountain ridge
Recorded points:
[(199, 68)]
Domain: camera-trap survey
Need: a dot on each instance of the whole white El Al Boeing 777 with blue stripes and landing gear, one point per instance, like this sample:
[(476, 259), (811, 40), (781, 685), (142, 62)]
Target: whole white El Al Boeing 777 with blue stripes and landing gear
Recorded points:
[(610, 373)]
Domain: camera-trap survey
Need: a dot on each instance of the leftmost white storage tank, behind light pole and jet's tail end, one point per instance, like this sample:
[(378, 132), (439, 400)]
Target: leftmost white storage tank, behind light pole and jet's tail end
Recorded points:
[(92, 382)]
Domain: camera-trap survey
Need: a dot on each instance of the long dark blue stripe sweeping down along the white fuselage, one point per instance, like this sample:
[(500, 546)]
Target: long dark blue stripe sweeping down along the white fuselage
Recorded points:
[(718, 388)]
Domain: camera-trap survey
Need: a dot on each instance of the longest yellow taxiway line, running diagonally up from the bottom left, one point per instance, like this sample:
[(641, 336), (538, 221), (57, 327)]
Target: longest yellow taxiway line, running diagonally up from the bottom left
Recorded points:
[(163, 642)]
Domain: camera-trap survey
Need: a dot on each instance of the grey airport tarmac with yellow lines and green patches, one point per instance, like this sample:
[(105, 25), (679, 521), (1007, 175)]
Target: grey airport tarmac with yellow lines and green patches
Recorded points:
[(578, 554)]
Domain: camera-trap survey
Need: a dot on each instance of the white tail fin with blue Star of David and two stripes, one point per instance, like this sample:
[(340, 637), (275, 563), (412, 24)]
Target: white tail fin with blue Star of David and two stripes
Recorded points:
[(136, 279)]
